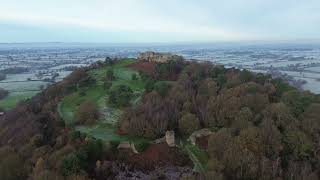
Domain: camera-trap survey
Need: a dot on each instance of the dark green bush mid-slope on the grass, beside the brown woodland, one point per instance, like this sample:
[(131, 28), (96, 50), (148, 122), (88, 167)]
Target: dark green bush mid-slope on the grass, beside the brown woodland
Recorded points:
[(120, 96)]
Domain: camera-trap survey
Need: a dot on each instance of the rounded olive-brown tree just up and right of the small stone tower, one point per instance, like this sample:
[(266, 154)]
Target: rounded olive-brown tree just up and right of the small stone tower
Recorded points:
[(188, 123)]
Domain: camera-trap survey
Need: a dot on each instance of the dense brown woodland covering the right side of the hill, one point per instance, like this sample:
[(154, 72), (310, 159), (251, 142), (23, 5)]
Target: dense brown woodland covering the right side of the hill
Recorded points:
[(264, 129)]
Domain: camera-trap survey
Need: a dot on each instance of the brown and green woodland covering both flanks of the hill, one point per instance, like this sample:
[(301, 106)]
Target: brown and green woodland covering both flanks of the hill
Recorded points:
[(263, 128)]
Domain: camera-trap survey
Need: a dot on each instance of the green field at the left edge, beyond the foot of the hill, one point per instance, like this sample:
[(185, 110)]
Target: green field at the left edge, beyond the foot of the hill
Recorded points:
[(12, 99)]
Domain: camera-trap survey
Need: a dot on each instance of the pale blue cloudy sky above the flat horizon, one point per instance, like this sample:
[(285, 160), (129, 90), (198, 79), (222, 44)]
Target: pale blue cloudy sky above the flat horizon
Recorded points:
[(163, 21)]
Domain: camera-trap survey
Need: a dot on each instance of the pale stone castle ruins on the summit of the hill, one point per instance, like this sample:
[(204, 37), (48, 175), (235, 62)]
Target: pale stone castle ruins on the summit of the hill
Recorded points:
[(158, 57)]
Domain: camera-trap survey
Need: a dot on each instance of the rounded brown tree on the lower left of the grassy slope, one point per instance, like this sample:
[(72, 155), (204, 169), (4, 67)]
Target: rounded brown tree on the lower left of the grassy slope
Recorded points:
[(87, 112)]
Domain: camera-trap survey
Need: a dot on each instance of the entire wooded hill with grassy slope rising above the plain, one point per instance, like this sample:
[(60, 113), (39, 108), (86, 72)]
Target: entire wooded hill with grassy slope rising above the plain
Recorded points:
[(145, 119)]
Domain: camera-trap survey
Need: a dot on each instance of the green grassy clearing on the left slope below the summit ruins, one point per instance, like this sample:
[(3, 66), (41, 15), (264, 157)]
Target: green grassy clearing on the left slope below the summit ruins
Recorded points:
[(107, 124)]
